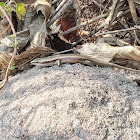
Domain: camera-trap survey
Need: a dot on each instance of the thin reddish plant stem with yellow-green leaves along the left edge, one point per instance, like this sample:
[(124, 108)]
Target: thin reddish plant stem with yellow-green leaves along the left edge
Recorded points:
[(20, 10)]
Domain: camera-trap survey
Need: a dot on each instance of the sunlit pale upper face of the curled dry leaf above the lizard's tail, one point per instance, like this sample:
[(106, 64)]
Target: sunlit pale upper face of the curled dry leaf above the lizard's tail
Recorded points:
[(104, 51)]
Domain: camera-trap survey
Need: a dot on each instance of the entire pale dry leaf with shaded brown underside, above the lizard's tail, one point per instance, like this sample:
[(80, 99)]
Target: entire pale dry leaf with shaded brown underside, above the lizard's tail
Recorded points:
[(127, 56)]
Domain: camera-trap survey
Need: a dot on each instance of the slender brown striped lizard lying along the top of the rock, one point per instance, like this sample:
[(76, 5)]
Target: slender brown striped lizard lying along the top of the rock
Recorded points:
[(75, 58)]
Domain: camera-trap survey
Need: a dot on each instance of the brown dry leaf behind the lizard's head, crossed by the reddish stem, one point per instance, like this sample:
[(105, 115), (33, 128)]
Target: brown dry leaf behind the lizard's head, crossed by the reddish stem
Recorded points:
[(22, 61)]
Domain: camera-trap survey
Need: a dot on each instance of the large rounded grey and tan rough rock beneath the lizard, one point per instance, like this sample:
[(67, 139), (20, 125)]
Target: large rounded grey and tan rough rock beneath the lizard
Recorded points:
[(71, 102)]
